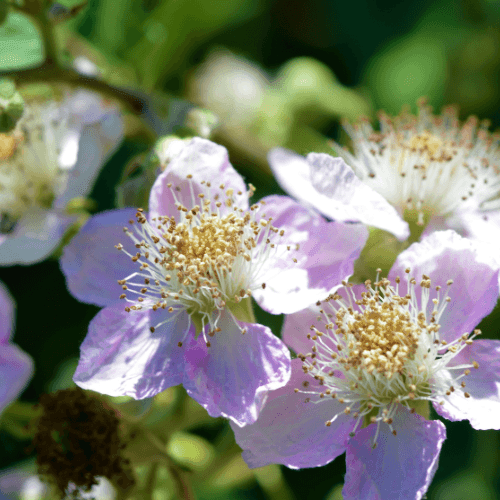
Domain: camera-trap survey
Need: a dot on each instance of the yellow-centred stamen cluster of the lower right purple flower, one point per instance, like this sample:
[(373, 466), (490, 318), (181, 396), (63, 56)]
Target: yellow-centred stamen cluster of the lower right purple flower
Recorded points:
[(383, 349)]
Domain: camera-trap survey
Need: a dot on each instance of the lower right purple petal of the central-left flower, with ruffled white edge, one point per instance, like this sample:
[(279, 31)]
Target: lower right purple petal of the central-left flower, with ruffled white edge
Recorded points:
[(233, 375)]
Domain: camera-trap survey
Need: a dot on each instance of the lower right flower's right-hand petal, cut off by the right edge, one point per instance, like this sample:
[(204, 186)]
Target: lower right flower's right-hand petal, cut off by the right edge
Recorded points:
[(482, 409)]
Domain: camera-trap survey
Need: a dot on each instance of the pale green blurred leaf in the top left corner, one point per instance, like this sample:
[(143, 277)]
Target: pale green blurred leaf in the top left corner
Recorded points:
[(20, 43)]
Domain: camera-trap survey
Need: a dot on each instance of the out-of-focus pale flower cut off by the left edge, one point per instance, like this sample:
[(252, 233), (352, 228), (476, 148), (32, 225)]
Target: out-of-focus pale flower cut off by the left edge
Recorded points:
[(54, 155)]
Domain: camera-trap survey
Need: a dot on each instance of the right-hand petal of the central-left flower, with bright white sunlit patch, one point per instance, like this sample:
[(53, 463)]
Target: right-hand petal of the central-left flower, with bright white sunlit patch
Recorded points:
[(326, 255)]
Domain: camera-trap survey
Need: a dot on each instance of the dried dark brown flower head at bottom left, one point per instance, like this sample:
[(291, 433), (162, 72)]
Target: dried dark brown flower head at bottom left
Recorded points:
[(78, 440)]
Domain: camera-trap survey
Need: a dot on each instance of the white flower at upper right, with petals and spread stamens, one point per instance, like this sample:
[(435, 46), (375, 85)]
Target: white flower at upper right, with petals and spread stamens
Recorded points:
[(418, 173)]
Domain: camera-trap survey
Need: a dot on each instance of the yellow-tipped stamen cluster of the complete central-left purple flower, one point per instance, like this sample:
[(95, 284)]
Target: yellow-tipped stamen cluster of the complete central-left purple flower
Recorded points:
[(203, 262)]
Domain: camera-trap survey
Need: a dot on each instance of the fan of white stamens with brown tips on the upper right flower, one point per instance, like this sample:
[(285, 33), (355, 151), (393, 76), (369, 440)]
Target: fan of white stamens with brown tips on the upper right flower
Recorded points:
[(428, 165)]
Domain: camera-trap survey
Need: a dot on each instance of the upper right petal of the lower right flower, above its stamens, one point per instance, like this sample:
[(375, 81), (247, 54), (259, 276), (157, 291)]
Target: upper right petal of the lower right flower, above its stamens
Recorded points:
[(445, 255)]
